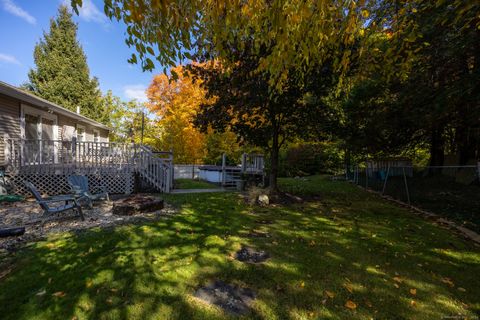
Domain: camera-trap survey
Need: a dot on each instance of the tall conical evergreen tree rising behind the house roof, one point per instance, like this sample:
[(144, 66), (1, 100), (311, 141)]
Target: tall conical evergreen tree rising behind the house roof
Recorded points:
[(62, 75)]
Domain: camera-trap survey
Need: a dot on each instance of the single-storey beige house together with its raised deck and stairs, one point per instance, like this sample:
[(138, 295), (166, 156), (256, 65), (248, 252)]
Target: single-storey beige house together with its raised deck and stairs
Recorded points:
[(44, 143)]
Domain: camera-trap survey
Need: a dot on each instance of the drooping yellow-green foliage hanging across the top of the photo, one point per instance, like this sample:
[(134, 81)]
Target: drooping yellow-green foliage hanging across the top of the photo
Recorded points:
[(299, 33)]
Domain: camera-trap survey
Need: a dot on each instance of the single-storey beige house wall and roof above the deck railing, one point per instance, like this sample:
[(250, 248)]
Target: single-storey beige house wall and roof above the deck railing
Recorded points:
[(24, 116)]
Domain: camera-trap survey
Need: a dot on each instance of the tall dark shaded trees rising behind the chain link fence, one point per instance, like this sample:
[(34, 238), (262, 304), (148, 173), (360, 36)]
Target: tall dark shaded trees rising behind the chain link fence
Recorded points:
[(431, 102)]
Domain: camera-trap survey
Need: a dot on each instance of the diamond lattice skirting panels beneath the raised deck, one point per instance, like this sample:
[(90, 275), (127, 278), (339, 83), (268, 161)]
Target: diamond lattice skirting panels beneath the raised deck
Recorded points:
[(53, 184)]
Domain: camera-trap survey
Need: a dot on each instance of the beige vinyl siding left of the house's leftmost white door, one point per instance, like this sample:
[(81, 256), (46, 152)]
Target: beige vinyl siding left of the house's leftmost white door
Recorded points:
[(9, 121)]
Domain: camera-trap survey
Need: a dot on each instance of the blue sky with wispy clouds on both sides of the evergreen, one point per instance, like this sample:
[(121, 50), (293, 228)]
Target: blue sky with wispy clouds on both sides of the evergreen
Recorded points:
[(22, 23)]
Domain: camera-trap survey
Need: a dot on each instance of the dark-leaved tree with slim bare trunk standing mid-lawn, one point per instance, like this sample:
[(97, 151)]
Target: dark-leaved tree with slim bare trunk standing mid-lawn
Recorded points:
[(245, 104)]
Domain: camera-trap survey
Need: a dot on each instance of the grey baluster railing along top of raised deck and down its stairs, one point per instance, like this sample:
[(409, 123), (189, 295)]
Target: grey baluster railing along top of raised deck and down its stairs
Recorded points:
[(60, 156)]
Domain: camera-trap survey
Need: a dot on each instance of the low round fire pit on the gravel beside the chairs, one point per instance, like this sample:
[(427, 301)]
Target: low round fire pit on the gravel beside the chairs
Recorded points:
[(136, 204)]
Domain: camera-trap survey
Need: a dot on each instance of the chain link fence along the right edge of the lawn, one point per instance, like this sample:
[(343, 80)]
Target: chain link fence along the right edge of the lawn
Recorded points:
[(449, 191)]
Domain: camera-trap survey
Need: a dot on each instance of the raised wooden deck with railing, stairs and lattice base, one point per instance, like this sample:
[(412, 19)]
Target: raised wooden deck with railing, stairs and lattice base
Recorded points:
[(48, 163)]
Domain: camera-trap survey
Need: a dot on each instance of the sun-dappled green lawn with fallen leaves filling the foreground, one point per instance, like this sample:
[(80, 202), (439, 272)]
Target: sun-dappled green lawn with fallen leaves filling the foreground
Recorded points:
[(347, 246)]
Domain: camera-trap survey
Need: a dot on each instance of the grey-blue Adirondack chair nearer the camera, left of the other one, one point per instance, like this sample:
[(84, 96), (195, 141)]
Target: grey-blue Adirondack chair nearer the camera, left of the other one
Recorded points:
[(45, 203)]
